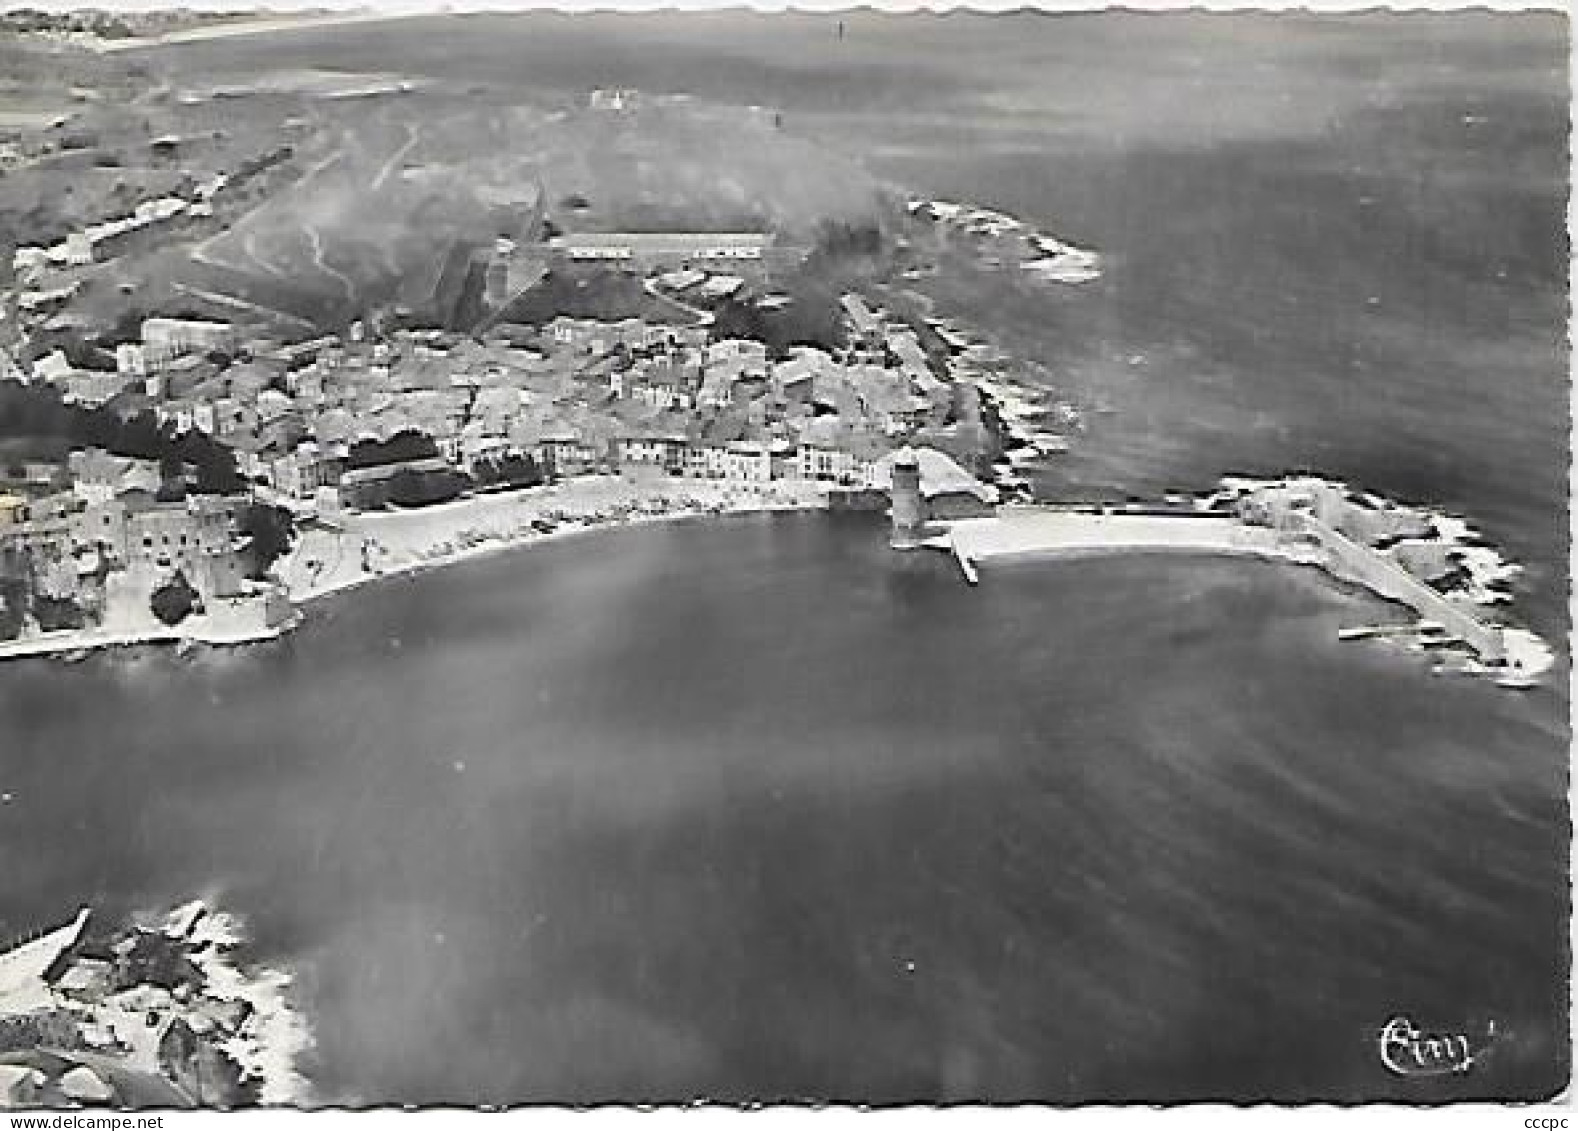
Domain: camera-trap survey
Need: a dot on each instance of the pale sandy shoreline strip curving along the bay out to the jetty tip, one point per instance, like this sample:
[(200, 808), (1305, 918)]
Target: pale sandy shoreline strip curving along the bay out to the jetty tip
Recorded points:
[(365, 548)]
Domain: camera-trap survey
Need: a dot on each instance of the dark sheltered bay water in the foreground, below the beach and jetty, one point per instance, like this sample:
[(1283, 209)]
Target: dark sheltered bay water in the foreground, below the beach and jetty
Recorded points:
[(758, 810)]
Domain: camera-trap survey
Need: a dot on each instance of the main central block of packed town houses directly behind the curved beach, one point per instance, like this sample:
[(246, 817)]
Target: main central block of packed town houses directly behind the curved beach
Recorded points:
[(575, 397)]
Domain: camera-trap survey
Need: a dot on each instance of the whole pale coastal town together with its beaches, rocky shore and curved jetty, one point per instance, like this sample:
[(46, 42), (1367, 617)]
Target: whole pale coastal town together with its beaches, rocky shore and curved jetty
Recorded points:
[(196, 474)]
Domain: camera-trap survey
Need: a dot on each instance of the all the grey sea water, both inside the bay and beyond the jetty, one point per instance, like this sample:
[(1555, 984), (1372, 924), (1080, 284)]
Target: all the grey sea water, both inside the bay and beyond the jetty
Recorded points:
[(757, 810)]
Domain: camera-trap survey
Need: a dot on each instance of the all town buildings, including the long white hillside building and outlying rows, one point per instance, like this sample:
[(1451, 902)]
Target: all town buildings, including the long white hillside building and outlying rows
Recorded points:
[(354, 420)]
